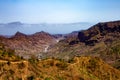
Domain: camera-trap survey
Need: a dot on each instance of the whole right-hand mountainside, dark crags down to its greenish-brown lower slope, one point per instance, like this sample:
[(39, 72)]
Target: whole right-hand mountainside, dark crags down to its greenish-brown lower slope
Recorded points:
[(101, 40)]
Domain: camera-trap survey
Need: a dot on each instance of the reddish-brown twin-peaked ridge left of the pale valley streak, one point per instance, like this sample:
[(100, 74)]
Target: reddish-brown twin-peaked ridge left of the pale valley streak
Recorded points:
[(27, 45)]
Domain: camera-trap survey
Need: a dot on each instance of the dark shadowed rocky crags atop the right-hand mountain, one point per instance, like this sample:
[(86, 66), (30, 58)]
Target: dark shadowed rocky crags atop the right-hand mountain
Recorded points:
[(100, 32)]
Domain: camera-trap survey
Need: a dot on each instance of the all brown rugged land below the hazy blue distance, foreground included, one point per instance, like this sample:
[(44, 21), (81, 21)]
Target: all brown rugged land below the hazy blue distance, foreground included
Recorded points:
[(92, 54)]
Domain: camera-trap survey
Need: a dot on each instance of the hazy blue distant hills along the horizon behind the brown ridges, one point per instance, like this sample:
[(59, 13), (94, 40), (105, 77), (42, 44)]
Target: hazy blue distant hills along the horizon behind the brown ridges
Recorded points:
[(13, 27)]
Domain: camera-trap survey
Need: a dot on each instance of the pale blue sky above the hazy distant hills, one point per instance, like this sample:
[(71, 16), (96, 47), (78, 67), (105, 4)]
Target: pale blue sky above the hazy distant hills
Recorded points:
[(59, 11)]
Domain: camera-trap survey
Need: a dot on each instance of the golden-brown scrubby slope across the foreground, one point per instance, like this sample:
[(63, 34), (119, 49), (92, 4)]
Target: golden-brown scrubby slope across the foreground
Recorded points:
[(79, 68)]
